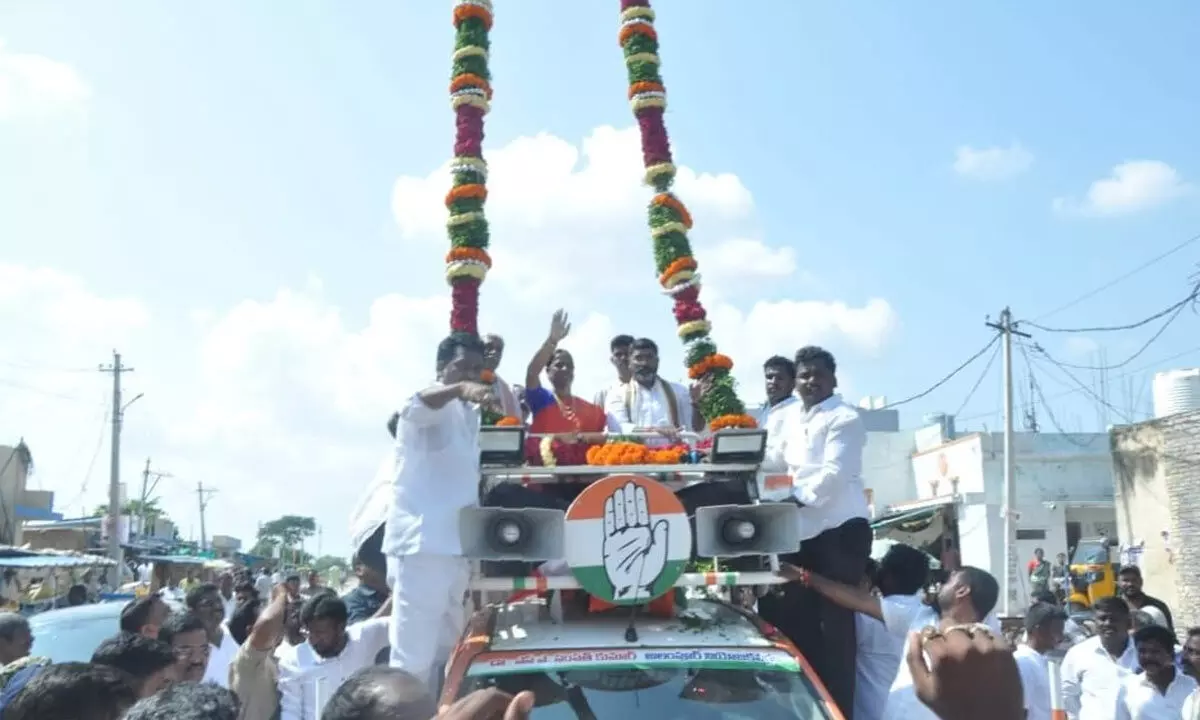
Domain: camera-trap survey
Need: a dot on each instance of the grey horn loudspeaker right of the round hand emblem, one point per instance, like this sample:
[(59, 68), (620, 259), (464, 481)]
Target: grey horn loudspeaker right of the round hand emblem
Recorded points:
[(736, 531)]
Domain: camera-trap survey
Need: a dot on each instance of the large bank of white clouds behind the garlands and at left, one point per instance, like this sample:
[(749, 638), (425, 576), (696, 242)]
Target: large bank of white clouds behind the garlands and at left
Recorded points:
[(280, 403)]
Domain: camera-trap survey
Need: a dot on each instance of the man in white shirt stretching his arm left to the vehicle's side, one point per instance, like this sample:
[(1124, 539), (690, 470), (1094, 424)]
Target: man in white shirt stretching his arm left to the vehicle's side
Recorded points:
[(968, 598)]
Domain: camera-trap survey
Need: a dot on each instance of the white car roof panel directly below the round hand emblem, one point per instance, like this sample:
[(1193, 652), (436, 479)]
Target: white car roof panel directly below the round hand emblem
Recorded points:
[(701, 625)]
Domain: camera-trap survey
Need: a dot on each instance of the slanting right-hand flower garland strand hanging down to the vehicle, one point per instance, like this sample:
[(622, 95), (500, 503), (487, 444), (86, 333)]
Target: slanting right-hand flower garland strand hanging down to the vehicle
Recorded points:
[(670, 223)]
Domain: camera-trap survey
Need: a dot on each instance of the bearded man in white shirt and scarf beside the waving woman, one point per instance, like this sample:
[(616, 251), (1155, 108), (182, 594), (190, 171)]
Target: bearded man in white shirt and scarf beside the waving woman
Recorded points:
[(650, 404)]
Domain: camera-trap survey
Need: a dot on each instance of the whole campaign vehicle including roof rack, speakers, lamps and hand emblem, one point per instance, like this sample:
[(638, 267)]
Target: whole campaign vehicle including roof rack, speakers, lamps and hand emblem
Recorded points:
[(625, 629)]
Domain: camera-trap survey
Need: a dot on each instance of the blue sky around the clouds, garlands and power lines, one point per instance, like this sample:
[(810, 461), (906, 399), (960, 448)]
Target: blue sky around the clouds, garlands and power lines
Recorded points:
[(225, 152)]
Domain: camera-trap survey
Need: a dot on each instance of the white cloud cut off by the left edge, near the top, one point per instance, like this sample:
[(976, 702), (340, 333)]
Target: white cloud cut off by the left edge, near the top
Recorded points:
[(35, 86)]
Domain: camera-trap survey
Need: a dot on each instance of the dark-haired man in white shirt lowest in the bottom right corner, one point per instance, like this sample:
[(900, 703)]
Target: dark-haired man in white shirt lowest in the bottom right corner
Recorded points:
[(1161, 691)]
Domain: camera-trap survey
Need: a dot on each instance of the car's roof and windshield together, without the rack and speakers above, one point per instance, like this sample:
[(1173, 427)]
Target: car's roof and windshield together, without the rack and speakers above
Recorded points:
[(710, 661)]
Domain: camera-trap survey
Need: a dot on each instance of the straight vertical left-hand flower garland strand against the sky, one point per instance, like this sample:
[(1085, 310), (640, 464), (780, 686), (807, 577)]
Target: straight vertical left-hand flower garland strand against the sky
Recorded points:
[(471, 92)]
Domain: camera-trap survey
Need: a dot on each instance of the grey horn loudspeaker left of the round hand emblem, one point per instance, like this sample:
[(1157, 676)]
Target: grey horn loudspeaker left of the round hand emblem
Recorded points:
[(512, 535)]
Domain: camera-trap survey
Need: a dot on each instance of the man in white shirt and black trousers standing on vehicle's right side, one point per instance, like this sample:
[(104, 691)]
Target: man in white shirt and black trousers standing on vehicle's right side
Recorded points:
[(823, 442)]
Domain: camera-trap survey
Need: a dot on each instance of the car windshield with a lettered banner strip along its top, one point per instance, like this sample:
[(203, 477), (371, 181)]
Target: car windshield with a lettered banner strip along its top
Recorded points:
[(682, 689)]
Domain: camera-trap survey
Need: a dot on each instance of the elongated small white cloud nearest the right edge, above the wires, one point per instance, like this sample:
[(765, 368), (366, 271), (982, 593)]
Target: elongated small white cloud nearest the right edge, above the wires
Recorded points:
[(1132, 188)]
